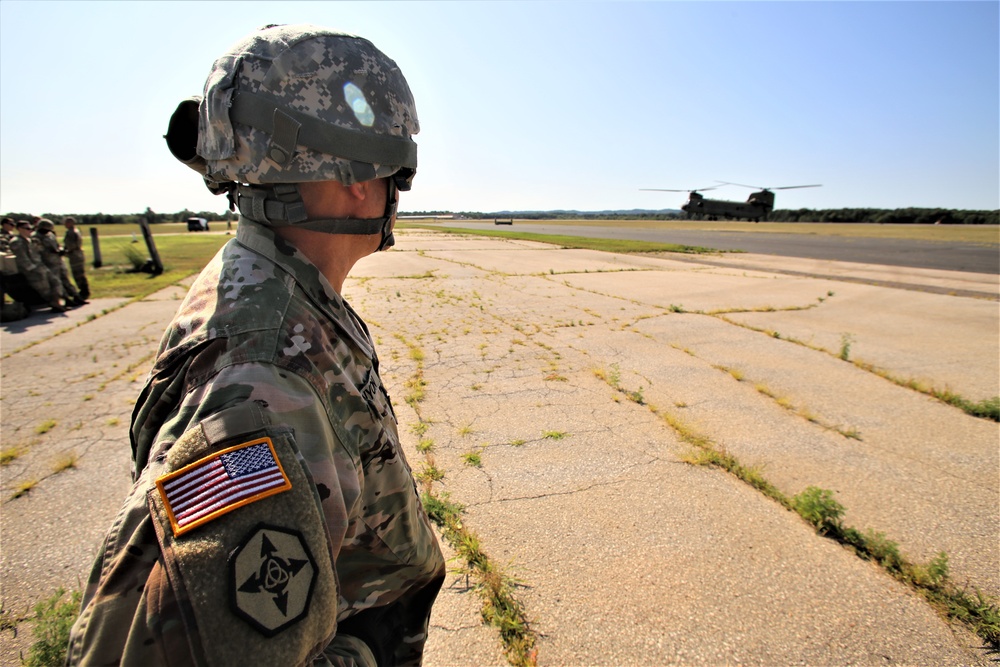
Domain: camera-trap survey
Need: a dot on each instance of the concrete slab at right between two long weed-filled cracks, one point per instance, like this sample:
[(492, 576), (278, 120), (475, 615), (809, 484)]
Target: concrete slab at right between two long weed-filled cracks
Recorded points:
[(902, 463)]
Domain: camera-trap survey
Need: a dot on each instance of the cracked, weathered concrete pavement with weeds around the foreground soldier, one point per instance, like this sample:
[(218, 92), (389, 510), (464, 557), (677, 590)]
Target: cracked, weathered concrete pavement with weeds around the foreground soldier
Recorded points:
[(624, 553)]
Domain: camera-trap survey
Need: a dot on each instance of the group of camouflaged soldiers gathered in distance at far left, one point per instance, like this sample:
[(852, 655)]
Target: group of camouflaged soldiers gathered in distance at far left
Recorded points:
[(34, 273)]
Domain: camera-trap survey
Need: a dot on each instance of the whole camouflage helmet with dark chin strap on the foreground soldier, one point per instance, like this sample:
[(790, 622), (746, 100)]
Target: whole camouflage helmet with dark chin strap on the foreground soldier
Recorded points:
[(299, 104)]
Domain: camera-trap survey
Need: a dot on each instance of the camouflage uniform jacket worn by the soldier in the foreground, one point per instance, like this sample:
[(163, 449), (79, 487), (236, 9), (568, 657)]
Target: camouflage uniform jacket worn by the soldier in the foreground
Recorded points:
[(342, 567)]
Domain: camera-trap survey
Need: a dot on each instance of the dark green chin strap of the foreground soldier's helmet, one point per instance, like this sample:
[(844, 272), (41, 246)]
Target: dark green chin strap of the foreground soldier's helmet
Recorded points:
[(281, 205)]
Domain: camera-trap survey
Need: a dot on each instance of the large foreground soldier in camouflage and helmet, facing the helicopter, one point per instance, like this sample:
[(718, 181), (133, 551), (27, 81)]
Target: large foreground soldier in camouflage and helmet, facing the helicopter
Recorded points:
[(274, 519)]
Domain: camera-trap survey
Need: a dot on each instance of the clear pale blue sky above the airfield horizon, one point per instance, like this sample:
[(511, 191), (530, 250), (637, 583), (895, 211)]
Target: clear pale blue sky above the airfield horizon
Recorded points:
[(540, 105)]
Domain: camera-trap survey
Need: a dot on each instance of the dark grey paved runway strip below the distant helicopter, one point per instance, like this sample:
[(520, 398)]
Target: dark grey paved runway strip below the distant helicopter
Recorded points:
[(889, 252)]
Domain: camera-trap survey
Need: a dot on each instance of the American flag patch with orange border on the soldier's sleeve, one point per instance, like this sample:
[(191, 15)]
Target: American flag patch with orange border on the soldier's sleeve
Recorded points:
[(217, 484)]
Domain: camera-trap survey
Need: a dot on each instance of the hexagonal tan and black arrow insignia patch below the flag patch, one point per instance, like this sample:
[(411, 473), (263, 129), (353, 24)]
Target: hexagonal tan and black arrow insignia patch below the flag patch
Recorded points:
[(271, 578)]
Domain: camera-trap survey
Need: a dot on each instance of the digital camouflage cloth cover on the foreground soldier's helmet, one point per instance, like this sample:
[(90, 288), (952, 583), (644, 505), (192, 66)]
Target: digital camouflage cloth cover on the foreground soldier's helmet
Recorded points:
[(336, 86)]
